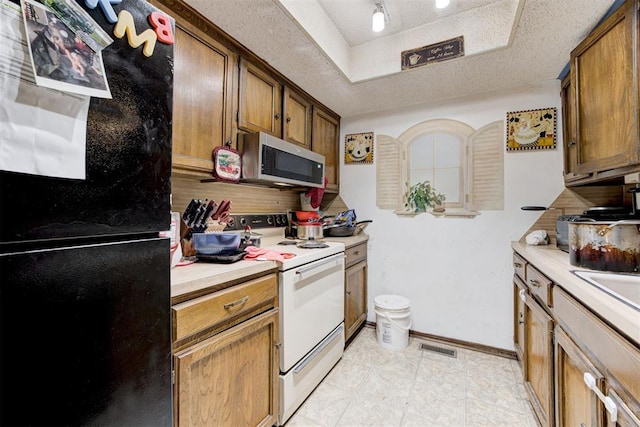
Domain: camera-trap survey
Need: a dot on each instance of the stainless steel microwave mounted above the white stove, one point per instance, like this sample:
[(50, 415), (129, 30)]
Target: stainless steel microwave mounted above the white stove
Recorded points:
[(270, 160)]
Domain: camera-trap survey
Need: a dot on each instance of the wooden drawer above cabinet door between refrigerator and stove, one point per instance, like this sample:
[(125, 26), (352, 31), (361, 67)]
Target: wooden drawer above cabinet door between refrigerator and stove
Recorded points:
[(238, 301)]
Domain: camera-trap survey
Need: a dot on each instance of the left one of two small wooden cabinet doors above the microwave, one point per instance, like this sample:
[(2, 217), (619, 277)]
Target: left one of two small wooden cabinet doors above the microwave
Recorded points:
[(260, 101)]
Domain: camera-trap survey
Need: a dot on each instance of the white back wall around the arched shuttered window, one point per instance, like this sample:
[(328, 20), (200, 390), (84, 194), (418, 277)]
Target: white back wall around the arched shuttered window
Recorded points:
[(456, 272)]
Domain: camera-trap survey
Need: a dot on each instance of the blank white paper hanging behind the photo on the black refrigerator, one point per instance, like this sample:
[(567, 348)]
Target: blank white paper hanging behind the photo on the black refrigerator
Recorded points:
[(42, 131)]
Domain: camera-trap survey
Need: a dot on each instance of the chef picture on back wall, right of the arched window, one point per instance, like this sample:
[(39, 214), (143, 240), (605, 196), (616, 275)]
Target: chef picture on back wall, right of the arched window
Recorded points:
[(531, 130)]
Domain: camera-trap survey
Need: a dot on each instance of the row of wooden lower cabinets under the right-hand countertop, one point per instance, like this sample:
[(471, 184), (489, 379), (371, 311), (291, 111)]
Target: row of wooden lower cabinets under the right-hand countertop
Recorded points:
[(578, 371)]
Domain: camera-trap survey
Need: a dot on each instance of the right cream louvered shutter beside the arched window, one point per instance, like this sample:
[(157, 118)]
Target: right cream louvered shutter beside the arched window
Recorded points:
[(486, 172)]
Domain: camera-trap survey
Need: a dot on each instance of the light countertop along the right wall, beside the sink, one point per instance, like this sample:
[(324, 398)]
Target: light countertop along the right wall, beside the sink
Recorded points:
[(555, 264)]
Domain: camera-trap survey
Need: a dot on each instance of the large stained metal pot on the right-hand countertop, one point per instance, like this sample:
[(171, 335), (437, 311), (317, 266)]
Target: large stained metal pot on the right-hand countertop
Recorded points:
[(605, 245)]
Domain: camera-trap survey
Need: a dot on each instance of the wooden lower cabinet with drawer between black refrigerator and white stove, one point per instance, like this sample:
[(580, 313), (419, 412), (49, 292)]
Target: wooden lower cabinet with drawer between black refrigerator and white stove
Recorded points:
[(226, 356)]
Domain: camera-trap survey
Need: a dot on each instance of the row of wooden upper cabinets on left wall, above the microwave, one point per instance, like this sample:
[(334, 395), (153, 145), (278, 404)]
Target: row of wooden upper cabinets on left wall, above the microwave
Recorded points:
[(220, 88)]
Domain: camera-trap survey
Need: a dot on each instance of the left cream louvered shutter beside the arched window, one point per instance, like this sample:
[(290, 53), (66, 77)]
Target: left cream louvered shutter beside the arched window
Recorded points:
[(388, 172)]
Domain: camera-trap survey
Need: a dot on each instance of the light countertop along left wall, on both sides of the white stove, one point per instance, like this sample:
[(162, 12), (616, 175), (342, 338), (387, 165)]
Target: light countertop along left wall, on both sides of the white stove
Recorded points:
[(202, 277)]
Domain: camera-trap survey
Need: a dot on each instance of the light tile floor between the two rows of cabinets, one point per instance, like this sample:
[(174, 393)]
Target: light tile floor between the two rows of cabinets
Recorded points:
[(373, 386)]
